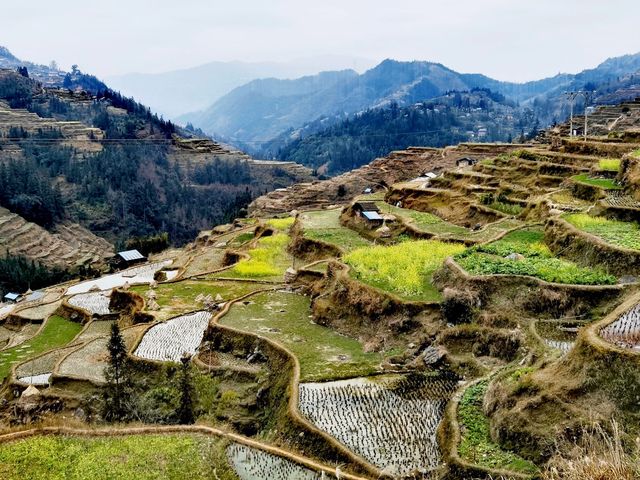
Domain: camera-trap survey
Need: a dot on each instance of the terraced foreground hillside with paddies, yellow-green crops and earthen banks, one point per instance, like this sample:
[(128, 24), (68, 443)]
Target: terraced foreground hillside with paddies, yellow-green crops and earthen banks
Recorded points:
[(480, 322)]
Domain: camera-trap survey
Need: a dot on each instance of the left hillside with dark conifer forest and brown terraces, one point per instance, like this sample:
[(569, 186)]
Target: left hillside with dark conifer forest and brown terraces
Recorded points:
[(91, 160)]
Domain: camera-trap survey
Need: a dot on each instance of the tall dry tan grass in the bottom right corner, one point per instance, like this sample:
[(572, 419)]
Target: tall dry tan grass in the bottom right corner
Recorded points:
[(597, 455)]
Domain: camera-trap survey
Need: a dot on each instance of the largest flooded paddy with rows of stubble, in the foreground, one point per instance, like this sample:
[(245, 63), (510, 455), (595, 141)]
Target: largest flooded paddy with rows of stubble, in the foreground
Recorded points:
[(390, 422)]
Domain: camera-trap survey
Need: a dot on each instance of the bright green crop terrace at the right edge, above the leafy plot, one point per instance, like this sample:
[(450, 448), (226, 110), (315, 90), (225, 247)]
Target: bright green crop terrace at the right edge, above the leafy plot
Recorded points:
[(615, 232)]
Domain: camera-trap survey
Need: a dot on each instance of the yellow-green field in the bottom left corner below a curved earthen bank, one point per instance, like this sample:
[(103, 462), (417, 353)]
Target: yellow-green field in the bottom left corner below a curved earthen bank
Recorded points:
[(143, 457)]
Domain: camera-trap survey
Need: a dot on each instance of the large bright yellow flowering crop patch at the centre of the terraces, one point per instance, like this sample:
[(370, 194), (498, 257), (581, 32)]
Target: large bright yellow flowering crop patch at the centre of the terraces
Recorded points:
[(405, 269)]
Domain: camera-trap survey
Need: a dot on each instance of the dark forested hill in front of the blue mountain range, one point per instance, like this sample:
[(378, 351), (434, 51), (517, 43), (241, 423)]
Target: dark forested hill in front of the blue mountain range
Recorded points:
[(478, 115)]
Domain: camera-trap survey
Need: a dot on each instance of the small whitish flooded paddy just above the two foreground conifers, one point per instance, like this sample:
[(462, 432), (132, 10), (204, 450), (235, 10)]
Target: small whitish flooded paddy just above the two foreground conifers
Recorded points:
[(169, 341)]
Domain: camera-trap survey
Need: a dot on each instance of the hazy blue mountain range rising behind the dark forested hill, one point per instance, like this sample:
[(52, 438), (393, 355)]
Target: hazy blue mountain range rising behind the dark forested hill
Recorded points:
[(253, 115)]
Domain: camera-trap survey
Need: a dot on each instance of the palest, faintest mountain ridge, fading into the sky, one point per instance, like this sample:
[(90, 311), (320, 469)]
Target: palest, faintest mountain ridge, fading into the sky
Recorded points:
[(182, 91)]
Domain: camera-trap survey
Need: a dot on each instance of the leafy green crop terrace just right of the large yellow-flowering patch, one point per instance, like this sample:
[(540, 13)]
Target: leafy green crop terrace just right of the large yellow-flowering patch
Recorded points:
[(538, 261)]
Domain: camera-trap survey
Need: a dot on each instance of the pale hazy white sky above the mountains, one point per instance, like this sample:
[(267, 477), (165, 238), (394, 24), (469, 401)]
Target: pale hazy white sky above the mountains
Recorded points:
[(506, 39)]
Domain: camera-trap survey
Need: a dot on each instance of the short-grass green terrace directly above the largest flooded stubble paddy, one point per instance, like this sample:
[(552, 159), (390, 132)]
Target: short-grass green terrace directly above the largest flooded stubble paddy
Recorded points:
[(285, 317)]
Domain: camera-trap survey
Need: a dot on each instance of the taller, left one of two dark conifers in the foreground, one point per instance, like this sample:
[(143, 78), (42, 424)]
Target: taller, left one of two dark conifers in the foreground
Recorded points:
[(118, 377)]
